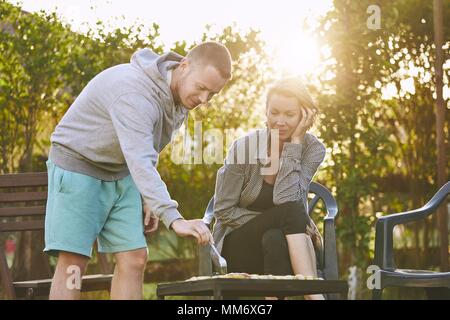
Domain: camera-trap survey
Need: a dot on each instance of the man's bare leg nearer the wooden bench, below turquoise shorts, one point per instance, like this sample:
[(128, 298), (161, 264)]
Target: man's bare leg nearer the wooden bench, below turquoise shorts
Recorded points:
[(66, 282)]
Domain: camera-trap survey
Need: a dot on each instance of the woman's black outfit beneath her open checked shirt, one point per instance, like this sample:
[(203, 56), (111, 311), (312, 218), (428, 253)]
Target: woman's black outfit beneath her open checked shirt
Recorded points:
[(249, 248)]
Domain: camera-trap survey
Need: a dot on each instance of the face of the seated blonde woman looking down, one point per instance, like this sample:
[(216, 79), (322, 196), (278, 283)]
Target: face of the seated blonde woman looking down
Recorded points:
[(283, 113)]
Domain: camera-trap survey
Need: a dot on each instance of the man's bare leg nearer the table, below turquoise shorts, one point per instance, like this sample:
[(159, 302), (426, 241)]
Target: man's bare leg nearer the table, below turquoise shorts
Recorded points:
[(127, 283)]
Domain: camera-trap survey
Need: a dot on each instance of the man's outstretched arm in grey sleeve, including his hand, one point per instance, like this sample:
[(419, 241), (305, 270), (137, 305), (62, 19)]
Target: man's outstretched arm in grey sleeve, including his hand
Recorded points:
[(133, 117)]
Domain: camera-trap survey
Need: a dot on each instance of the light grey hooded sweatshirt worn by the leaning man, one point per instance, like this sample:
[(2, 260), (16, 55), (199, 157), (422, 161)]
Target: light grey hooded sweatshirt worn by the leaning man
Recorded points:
[(118, 125)]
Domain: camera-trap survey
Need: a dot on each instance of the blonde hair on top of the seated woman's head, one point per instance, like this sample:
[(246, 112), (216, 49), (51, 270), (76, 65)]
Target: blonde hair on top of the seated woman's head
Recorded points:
[(291, 87)]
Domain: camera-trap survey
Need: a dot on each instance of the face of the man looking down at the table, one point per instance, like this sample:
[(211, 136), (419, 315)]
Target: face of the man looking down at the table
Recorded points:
[(198, 84)]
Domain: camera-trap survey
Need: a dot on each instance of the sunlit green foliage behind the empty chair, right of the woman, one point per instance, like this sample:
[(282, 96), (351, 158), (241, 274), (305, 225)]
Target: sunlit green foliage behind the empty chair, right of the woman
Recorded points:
[(379, 149)]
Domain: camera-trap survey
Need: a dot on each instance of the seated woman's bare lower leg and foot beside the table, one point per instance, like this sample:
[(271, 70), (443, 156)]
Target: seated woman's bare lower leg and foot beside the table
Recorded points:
[(303, 258)]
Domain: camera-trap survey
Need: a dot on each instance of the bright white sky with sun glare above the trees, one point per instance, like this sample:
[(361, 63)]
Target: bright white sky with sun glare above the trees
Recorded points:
[(280, 21)]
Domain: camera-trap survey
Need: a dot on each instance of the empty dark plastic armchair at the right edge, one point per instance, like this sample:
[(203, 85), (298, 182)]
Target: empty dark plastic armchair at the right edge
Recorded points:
[(388, 275)]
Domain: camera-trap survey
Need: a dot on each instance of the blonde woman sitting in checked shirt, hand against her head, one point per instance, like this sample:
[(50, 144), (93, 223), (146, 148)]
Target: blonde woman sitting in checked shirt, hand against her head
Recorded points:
[(263, 185)]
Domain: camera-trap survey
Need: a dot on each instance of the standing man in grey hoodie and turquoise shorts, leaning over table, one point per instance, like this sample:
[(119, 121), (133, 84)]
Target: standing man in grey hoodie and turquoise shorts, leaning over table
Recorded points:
[(102, 163)]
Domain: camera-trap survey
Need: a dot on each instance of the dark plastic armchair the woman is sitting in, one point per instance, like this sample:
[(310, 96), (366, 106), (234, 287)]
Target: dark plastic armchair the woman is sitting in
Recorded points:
[(210, 262)]
